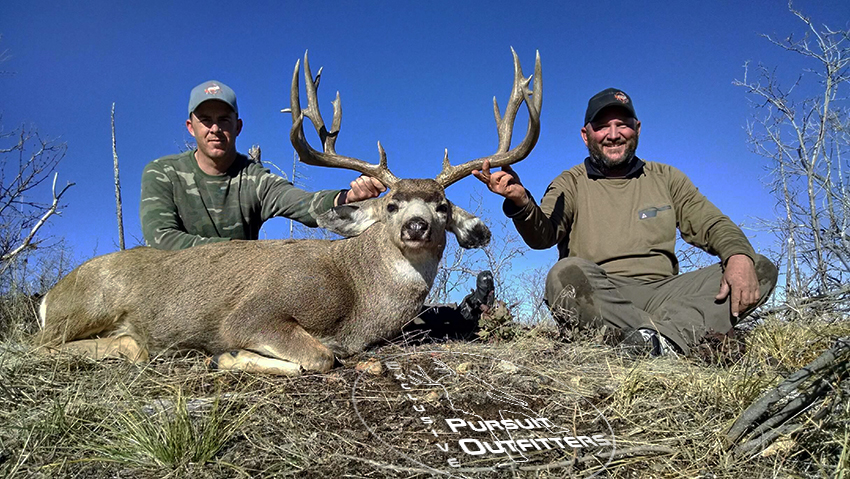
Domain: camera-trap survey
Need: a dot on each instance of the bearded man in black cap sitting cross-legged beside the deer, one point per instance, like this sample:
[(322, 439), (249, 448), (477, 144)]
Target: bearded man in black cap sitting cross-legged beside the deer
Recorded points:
[(614, 218)]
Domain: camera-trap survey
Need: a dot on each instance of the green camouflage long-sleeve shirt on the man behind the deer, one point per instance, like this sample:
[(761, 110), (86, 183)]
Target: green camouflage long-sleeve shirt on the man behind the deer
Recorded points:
[(181, 206)]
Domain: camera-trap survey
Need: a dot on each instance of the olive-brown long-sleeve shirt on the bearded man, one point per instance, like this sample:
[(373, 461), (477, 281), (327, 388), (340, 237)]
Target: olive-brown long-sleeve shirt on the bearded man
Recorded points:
[(627, 225)]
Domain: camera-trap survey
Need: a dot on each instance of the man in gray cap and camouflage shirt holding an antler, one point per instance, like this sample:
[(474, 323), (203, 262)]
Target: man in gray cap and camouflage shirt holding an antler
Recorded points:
[(213, 193)]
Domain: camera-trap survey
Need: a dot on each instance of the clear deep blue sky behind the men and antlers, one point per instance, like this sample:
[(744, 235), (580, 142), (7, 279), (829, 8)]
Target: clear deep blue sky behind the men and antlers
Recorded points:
[(418, 76)]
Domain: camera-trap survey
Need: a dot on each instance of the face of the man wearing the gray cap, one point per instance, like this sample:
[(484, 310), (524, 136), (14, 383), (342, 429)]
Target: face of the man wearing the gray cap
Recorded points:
[(215, 128)]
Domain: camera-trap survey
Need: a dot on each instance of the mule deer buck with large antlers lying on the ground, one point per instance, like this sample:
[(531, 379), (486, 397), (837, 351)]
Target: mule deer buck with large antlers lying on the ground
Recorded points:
[(280, 306)]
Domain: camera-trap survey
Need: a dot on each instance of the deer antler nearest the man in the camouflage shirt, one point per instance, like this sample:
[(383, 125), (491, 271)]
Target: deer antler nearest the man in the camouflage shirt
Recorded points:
[(328, 157)]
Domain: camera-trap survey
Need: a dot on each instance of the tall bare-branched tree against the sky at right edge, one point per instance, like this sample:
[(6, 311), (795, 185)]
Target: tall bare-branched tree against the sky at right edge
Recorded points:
[(804, 135)]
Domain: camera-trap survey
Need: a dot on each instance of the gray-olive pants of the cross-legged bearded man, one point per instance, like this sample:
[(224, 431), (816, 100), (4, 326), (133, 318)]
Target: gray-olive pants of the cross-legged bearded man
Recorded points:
[(682, 308)]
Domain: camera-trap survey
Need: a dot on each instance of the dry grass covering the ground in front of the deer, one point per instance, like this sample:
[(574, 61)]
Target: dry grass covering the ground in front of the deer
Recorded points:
[(70, 417)]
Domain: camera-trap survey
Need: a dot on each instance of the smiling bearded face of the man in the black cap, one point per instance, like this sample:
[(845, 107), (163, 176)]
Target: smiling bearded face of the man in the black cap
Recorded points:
[(611, 138)]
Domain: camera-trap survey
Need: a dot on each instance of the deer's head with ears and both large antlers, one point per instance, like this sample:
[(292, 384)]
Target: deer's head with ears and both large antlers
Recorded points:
[(417, 209)]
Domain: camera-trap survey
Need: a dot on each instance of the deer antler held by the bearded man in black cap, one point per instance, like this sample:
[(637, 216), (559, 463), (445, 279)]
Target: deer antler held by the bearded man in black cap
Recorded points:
[(505, 125)]
